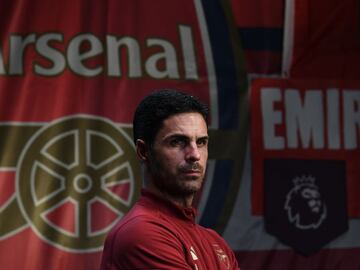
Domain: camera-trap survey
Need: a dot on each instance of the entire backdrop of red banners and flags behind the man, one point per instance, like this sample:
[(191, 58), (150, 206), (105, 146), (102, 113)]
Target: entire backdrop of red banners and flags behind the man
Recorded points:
[(72, 73)]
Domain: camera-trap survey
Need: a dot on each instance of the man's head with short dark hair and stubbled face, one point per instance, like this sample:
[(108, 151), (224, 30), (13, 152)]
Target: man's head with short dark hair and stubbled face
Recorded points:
[(171, 136)]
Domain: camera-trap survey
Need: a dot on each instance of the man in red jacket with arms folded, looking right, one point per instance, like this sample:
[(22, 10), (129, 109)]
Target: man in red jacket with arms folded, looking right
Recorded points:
[(159, 232)]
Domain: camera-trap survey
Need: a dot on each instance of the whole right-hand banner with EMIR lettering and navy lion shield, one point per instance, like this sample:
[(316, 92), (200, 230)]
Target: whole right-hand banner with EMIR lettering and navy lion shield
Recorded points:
[(304, 207)]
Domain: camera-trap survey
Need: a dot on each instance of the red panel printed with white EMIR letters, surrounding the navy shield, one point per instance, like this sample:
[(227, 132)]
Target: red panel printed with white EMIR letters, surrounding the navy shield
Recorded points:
[(301, 119)]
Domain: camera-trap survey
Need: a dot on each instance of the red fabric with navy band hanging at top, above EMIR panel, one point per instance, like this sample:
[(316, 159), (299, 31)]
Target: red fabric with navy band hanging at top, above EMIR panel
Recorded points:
[(260, 26)]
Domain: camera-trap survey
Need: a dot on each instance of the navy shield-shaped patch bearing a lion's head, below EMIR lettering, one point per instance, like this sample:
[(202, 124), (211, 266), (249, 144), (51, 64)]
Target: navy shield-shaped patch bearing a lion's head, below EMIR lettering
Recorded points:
[(305, 202)]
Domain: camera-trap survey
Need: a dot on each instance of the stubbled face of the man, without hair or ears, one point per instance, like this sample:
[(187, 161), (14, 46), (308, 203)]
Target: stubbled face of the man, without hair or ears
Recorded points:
[(179, 154)]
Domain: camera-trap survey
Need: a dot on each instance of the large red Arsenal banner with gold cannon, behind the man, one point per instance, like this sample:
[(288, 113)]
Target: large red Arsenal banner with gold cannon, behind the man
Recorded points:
[(71, 75)]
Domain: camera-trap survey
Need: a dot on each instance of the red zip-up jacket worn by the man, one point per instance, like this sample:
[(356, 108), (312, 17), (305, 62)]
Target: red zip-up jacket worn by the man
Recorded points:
[(157, 234)]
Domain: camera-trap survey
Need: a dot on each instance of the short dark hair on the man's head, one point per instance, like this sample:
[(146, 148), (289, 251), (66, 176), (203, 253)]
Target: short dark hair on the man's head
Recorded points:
[(159, 105)]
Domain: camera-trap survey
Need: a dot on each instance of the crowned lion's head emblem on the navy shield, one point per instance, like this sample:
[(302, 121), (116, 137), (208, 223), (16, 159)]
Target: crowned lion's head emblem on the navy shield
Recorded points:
[(304, 205)]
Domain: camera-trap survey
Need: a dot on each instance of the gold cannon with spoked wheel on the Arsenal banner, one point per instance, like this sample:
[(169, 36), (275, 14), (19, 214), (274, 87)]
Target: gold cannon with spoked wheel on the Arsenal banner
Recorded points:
[(75, 177)]
